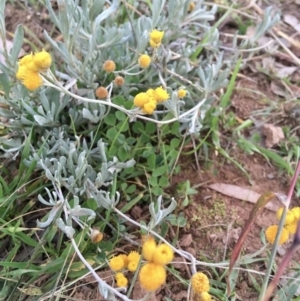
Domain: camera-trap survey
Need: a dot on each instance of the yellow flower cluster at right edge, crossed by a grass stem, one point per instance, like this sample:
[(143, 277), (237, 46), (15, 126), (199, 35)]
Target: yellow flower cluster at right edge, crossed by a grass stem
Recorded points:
[(290, 226)]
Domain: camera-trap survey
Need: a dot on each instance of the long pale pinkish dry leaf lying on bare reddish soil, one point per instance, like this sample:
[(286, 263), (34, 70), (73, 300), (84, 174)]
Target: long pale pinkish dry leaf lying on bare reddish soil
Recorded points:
[(243, 194)]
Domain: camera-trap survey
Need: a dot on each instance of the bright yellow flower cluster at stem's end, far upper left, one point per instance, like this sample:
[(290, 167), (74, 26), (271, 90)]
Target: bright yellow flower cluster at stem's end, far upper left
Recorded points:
[(30, 66)]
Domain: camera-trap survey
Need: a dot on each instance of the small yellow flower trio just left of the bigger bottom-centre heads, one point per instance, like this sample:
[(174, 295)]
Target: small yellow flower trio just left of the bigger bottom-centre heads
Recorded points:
[(123, 261)]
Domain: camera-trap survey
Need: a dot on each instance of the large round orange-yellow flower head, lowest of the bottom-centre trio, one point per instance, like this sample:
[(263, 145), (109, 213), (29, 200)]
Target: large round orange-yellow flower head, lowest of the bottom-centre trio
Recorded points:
[(152, 276)]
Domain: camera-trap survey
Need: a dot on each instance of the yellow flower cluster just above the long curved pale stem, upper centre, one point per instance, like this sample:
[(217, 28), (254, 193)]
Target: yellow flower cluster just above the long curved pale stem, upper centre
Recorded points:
[(148, 100)]
